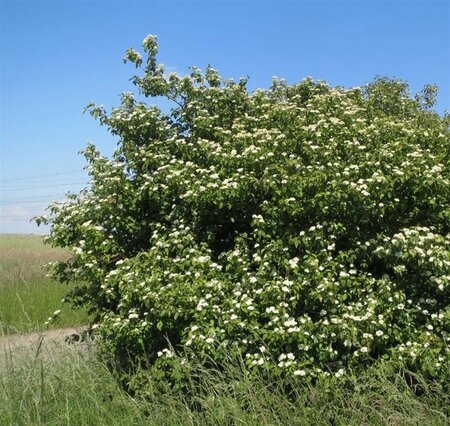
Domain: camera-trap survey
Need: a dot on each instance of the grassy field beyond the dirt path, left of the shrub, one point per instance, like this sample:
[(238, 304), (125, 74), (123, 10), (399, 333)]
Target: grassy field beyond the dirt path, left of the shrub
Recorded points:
[(27, 296)]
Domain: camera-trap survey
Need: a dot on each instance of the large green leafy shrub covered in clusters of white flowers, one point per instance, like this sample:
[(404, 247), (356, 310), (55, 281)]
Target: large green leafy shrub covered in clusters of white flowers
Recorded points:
[(305, 227)]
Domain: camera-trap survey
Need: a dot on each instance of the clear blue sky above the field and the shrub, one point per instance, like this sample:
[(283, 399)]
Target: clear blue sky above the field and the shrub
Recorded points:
[(56, 56)]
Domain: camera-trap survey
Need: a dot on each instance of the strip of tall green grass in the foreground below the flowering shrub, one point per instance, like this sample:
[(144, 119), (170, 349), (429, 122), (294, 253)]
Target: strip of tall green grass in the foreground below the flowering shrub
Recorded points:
[(62, 387)]
